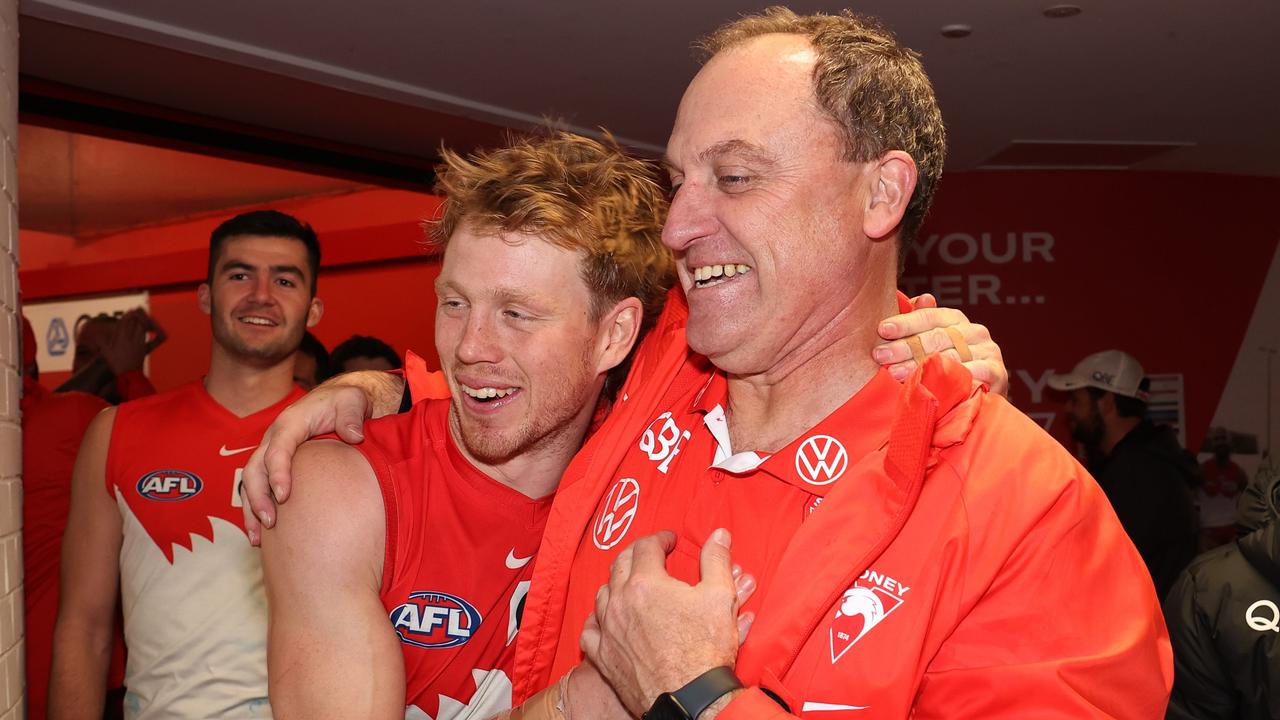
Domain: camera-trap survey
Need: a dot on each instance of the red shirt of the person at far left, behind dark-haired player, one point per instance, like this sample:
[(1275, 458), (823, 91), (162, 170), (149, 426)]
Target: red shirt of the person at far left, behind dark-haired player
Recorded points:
[(53, 427)]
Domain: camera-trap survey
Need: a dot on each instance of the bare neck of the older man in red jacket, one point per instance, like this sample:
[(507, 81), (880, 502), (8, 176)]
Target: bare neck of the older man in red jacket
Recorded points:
[(769, 411)]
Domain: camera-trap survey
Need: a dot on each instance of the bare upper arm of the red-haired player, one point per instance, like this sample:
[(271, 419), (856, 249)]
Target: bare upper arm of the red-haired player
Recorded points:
[(331, 649)]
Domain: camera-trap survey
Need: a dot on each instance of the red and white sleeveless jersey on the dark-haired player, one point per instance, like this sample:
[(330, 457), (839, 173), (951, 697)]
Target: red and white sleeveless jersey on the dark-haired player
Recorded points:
[(195, 612)]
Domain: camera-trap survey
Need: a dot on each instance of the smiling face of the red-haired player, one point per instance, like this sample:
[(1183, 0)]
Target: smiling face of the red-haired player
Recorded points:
[(523, 356)]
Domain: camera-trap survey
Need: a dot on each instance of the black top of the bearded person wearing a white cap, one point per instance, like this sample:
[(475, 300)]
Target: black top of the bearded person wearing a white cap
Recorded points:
[(1149, 480)]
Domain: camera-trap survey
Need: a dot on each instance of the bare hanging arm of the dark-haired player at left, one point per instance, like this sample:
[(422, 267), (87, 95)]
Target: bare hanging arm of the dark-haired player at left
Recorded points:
[(90, 584)]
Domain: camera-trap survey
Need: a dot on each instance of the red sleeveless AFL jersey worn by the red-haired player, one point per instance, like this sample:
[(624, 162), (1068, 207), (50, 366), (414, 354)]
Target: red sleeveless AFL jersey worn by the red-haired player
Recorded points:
[(452, 534)]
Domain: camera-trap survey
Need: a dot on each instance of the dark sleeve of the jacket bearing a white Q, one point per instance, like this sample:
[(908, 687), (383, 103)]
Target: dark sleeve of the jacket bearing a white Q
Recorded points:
[(1203, 691)]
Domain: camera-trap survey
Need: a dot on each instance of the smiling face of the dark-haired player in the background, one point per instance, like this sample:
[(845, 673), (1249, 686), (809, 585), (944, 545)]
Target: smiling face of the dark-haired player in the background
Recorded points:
[(260, 299)]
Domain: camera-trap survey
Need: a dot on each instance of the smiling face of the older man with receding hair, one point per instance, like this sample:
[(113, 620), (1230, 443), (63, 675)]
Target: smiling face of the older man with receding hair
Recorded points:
[(767, 217)]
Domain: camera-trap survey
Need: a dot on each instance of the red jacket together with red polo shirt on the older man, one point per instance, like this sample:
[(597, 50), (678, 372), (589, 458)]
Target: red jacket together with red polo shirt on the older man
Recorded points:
[(963, 567)]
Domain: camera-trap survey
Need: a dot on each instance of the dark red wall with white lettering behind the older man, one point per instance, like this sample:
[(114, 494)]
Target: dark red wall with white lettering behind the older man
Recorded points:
[(1167, 267)]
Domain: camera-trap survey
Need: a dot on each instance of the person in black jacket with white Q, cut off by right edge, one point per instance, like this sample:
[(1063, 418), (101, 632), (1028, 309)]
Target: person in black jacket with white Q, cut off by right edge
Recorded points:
[(1224, 621)]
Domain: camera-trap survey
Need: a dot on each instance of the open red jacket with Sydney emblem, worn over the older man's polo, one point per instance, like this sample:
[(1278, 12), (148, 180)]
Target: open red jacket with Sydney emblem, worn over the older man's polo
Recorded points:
[(968, 568)]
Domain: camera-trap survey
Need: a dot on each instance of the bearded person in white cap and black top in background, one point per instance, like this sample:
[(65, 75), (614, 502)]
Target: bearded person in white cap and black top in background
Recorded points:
[(1148, 476)]
